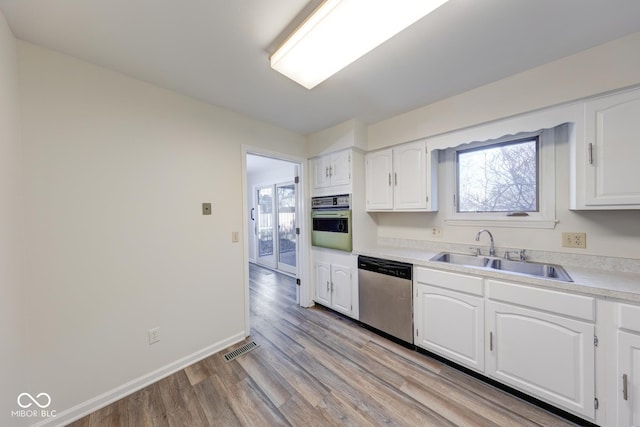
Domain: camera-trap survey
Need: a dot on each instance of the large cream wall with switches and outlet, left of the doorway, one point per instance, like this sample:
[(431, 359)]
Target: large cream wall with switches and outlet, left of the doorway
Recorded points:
[(116, 171)]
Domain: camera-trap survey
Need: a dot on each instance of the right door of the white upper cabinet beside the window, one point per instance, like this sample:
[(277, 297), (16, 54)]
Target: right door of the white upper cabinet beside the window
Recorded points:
[(409, 177)]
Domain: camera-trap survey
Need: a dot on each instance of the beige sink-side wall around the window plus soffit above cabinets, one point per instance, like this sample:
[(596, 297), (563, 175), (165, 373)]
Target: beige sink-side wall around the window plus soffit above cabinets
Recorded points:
[(601, 69)]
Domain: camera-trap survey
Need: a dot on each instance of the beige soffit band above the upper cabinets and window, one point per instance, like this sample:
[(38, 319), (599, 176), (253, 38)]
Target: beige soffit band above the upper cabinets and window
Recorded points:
[(600, 69)]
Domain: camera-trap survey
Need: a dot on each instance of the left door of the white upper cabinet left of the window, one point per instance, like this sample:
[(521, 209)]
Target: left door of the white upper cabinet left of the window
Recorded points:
[(378, 183)]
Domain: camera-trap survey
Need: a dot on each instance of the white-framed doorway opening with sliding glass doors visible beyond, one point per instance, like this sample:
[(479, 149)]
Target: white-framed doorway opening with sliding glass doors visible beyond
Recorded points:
[(280, 240)]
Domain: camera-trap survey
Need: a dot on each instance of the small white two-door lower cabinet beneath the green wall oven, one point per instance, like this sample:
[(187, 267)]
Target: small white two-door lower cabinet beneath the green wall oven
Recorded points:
[(335, 282)]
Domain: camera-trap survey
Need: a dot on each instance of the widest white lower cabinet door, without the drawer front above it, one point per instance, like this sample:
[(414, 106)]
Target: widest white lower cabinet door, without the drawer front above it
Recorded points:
[(547, 356)]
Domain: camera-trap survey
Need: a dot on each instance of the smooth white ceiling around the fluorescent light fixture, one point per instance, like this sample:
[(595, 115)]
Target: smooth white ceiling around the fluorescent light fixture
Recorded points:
[(217, 50)]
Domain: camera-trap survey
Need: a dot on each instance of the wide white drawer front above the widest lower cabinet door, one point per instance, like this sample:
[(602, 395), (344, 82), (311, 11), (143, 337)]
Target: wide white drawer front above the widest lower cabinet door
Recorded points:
[(565, 304)]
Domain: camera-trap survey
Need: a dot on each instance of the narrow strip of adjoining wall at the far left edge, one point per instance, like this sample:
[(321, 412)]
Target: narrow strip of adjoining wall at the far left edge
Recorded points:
[(12, 370)]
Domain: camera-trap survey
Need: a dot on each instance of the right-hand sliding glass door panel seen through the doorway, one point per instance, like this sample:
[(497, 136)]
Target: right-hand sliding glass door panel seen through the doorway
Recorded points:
[(286, 204)]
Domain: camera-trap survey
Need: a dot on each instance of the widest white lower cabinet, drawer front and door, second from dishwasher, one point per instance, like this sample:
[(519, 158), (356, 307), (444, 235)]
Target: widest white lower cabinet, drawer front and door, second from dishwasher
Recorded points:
[(542, 342)]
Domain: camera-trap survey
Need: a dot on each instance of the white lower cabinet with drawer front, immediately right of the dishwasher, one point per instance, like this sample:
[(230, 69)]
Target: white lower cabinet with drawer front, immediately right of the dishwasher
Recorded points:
[(449, 316)]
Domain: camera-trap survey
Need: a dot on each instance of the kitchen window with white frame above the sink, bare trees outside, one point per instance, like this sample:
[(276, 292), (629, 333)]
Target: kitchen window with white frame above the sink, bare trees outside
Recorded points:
[(504, 182)]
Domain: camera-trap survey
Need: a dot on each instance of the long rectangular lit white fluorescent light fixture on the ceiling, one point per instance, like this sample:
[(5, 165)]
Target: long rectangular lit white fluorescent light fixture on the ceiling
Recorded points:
[(340, 31)]
